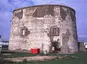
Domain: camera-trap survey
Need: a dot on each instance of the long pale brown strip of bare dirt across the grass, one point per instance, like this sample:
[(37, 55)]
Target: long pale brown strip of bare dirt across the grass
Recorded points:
[(39, 58)]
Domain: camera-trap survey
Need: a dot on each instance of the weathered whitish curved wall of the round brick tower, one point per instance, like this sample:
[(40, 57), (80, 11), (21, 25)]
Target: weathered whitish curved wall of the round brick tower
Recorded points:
[(44, 27)]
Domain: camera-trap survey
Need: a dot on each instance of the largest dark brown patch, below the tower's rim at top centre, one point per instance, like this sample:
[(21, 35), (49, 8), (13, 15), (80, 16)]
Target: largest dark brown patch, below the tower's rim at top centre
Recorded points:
[(42, 11)]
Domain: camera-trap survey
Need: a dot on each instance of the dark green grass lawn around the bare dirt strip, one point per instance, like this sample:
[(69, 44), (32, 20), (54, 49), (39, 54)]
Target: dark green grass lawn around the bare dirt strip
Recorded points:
[(81, 59)]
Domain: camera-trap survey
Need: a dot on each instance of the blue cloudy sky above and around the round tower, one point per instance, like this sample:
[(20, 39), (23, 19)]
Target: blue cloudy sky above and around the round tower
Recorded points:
[(7, 6)]
